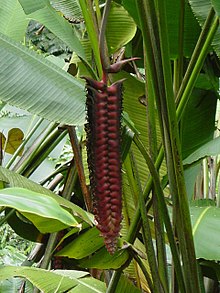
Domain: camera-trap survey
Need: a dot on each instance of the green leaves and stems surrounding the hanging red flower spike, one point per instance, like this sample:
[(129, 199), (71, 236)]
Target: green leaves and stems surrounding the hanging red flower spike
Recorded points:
[(170, 146)]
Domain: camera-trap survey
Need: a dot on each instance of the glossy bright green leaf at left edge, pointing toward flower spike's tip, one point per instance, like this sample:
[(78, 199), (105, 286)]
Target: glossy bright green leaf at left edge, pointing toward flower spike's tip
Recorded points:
[(43, 211)]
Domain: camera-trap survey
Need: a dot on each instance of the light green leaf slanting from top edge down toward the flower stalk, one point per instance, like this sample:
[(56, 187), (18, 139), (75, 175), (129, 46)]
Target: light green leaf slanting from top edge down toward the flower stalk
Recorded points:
[(44, 13)]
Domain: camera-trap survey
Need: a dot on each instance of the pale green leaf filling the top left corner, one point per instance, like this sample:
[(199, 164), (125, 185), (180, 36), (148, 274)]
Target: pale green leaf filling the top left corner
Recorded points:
[(13, 21)]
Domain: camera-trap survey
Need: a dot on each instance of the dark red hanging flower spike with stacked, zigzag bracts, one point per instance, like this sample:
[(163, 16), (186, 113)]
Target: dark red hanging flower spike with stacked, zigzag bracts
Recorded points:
[(104, 105)]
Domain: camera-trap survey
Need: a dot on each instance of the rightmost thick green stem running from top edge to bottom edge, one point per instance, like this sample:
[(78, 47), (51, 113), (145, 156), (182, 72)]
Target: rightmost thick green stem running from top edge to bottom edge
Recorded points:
[(173, 158)]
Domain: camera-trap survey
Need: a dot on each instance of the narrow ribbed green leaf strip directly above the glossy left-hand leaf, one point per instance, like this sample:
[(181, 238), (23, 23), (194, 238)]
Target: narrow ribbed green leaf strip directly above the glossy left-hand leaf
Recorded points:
[(16, 180)]
